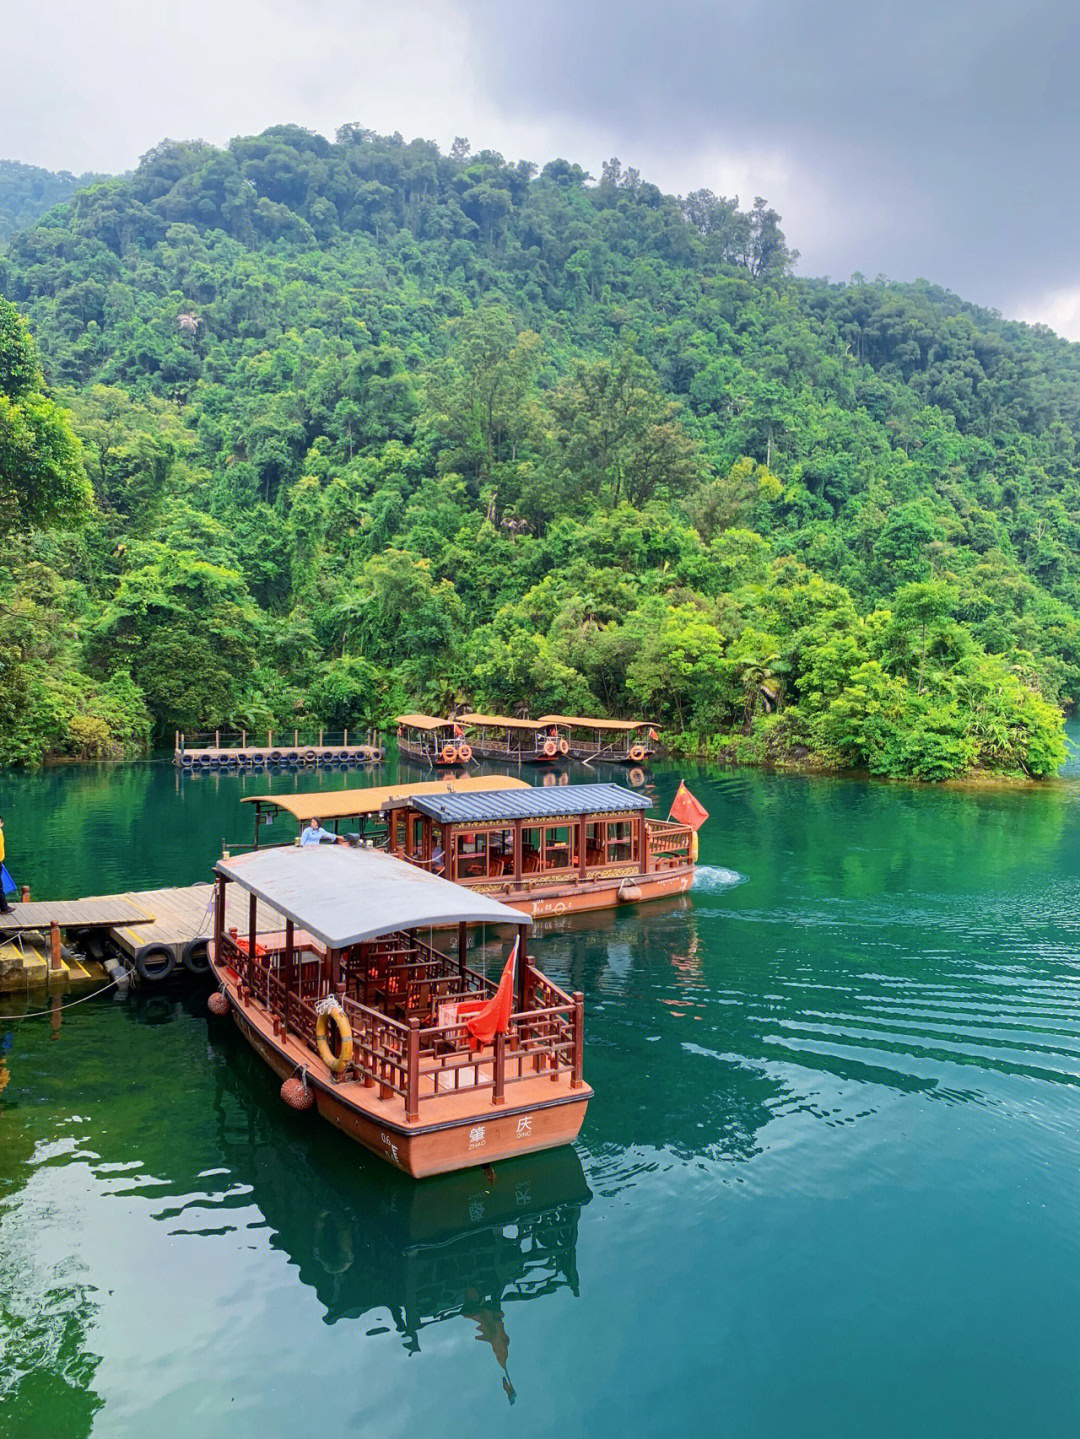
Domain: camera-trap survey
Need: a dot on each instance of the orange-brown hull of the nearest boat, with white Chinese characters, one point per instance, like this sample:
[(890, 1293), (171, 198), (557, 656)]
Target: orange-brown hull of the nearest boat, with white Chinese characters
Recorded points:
[(488, 1133)]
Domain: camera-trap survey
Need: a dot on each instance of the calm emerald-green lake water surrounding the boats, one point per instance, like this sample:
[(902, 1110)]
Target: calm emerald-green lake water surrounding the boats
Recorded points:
[(830, 1184)]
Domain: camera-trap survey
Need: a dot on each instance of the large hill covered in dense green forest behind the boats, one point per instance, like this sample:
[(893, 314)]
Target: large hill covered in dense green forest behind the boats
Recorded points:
[(373, 427)]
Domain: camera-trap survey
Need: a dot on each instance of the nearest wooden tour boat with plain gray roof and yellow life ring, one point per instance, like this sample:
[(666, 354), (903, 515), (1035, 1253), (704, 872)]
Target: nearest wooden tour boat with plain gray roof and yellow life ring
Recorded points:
[(377, 1030)]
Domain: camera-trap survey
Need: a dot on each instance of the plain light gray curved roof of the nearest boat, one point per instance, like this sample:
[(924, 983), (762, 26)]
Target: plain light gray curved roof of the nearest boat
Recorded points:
[(344, 896)]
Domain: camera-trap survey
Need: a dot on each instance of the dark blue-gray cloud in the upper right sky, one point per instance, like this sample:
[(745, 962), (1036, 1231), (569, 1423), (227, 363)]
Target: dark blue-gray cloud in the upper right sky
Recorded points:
[(928, 139)]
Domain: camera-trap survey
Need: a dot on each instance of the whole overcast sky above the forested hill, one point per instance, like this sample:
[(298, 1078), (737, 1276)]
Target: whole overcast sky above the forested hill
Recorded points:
[(912, 140)]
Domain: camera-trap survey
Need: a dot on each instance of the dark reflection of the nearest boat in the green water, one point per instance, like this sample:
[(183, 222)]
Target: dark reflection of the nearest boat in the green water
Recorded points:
[(370, 1241)]
